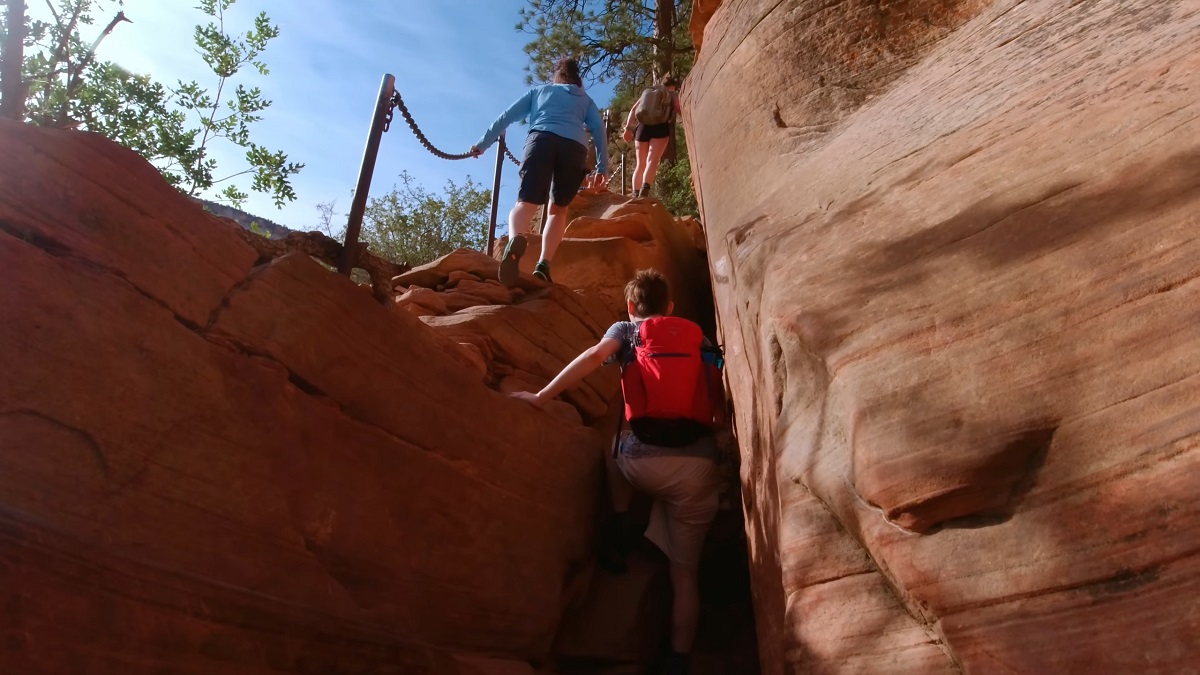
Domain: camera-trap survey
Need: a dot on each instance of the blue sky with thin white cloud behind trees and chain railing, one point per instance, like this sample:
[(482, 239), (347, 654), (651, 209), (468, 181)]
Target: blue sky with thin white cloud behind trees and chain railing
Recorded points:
[(458, 64)]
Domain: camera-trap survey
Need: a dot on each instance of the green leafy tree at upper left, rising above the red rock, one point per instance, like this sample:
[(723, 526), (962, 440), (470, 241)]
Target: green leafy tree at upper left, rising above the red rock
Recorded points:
[(62, 86)]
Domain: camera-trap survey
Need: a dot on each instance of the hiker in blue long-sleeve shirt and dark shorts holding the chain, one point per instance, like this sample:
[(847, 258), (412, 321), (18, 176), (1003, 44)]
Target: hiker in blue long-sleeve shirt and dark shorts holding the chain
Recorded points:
[(555, 153)]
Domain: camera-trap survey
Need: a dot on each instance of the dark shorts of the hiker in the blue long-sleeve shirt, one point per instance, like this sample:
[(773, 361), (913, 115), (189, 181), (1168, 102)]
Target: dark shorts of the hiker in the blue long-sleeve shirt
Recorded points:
[(551, 159)]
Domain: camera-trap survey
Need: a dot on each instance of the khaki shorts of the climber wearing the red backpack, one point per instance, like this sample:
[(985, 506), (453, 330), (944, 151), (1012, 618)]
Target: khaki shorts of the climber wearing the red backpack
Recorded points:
[(686, 494)]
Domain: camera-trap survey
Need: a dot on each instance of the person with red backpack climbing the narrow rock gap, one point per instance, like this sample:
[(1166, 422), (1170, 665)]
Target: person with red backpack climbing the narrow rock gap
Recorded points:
[(674, 402)]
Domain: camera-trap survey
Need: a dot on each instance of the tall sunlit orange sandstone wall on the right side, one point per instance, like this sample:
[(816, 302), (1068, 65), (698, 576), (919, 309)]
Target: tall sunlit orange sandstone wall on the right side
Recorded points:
[(956, 252)]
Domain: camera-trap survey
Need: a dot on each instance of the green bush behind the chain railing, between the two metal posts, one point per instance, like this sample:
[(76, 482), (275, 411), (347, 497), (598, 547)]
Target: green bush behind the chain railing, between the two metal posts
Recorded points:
[(411, 225)]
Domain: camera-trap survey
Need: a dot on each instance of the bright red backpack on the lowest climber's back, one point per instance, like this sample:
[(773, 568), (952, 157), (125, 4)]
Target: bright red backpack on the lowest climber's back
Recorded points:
[(673, 384)]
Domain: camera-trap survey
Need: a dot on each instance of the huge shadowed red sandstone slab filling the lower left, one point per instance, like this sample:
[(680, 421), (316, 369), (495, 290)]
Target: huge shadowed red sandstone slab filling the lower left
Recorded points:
[(255, 470)]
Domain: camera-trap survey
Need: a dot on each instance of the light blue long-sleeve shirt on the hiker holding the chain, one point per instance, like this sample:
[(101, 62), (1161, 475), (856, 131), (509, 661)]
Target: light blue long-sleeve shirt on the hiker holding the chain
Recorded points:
[(562, 110)]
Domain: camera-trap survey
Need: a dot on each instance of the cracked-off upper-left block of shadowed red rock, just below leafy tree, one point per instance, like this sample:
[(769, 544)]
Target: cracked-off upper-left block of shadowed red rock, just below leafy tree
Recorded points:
[(135, 226)]
